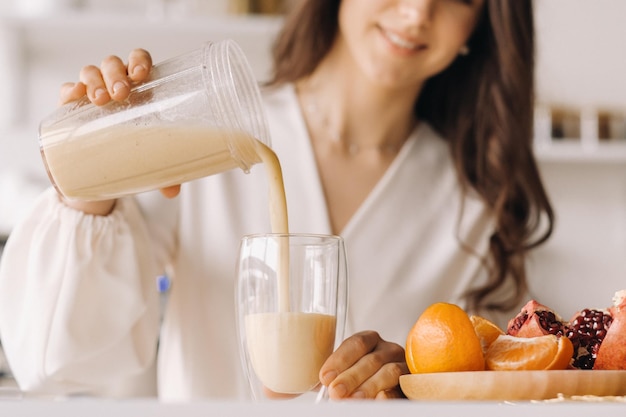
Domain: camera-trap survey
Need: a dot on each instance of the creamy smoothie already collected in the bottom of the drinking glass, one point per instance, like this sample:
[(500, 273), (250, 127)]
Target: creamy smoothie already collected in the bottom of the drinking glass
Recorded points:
[(287, 350)]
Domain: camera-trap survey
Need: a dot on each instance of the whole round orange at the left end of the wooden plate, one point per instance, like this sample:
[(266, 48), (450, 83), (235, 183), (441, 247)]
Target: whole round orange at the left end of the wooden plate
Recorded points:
[(443, 340)]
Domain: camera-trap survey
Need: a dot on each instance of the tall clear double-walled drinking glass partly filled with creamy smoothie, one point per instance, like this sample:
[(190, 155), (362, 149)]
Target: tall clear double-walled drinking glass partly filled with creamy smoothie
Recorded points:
[(291, 307)]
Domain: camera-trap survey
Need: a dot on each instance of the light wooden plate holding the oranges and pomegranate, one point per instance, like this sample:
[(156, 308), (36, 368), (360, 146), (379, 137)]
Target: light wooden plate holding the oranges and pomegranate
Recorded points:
[(512, 385)]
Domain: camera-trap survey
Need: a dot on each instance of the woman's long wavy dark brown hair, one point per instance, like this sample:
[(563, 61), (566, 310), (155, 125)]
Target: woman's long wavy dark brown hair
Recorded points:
[(489, 127)]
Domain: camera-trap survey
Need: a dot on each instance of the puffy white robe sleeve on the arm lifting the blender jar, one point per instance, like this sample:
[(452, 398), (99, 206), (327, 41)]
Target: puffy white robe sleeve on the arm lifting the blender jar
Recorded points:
[(79, 310)]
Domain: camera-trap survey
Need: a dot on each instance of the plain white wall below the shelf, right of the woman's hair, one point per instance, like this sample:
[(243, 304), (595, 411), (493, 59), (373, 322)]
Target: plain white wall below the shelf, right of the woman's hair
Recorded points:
[(584, 262)]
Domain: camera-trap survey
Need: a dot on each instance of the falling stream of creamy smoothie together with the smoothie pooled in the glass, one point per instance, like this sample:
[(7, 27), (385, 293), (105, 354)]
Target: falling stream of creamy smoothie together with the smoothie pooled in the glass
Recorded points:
[(286, 348)]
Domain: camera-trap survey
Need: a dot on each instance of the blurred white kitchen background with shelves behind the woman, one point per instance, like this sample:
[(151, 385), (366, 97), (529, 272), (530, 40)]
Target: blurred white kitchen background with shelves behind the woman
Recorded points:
[(580, 117)]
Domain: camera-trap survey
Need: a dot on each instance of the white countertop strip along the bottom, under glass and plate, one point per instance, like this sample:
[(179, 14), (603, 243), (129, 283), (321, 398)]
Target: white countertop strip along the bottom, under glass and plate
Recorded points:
[(96, 408)]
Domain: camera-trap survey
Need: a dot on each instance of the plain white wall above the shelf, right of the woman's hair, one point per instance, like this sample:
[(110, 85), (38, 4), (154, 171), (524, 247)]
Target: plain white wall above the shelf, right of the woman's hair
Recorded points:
[(581, 58)]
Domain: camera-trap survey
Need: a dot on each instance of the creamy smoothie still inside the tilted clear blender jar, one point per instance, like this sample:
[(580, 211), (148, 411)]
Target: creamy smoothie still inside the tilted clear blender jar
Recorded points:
[(107, 163)]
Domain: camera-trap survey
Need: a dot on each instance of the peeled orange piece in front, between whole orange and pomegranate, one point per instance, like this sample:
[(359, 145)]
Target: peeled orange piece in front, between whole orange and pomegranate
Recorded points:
[(512, 353)]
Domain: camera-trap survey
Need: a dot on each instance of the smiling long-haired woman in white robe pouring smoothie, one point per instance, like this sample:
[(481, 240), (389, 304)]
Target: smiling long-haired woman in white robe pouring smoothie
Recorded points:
[(403, 125)]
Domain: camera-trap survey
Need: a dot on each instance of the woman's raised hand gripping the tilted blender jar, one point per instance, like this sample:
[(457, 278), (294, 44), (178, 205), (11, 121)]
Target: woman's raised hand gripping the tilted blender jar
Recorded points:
[(111, 81)]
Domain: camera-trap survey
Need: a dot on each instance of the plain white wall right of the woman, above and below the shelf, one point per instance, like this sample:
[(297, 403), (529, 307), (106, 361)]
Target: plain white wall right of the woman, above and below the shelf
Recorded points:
[(581, 63)]
